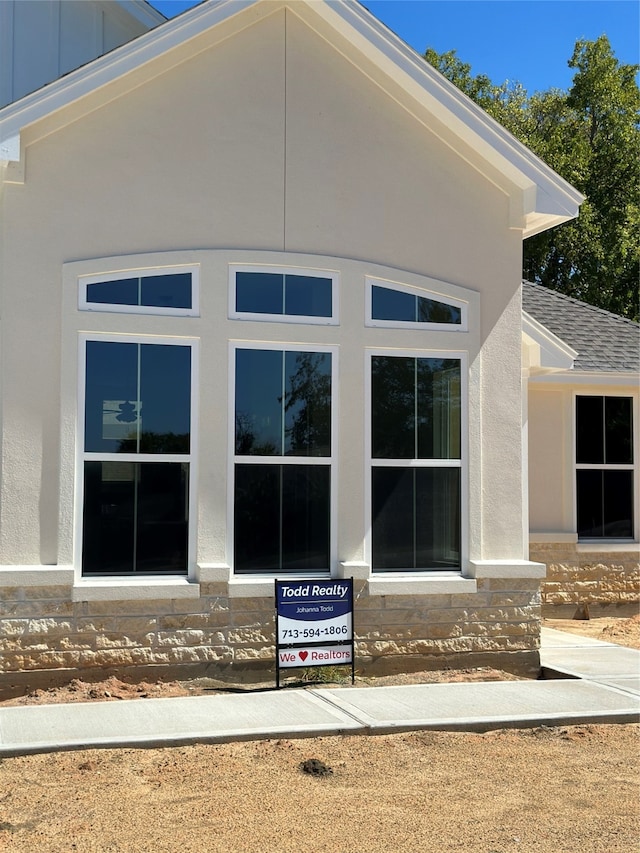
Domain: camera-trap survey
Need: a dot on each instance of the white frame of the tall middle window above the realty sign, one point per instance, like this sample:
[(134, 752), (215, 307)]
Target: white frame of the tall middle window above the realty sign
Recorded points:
[(330, 461)]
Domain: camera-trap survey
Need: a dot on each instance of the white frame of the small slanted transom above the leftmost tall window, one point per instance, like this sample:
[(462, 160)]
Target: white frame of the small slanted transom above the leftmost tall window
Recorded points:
[(141, 272)]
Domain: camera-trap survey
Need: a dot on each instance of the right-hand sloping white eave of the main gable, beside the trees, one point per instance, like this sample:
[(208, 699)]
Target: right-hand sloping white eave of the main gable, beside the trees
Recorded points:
[(540, 197)]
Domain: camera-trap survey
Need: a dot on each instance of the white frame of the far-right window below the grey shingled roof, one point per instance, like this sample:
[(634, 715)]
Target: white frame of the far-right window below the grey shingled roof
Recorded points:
[(604, 466)]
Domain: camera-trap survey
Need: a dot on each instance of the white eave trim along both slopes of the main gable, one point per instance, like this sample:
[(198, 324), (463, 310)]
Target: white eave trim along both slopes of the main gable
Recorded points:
[(538, 197)]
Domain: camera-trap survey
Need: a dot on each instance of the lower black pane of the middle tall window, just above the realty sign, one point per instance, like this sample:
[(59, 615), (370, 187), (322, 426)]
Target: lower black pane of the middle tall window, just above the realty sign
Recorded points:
[(282, 518)]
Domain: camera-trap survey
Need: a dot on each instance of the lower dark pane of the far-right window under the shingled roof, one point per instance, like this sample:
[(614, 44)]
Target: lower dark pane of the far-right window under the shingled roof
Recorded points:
[(604, 503)]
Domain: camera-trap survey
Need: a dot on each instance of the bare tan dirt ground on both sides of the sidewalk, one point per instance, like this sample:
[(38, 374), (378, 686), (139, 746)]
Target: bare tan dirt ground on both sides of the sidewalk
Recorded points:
[(546, 790)]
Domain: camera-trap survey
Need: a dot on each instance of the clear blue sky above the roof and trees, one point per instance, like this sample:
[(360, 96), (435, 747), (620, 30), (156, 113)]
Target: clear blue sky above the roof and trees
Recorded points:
[(526, 40)]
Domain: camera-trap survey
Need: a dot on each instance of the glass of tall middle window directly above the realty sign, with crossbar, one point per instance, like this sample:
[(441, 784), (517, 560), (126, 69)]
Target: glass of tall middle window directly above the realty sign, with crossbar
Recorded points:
[(283, 452)]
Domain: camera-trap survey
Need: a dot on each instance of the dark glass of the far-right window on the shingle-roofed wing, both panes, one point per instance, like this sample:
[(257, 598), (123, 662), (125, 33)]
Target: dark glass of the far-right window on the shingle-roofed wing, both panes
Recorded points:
[(604, 467)]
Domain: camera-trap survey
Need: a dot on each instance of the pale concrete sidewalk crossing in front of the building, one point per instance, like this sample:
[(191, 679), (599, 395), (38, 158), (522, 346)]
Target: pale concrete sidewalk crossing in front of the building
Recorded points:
[(591, 682)]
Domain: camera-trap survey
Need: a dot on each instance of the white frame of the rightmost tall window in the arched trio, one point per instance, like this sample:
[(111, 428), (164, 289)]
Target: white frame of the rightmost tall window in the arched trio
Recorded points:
[(462, 463)]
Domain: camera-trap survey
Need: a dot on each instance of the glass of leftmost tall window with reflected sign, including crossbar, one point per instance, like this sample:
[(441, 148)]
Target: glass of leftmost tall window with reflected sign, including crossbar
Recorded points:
[(137, 454)]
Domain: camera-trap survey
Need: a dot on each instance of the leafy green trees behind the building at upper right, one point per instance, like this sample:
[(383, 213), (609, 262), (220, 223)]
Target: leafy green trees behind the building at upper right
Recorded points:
[(590, 135)]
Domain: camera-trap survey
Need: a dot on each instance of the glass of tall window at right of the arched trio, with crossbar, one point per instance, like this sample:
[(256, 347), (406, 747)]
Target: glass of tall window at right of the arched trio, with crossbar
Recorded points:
[(416, 463)]
